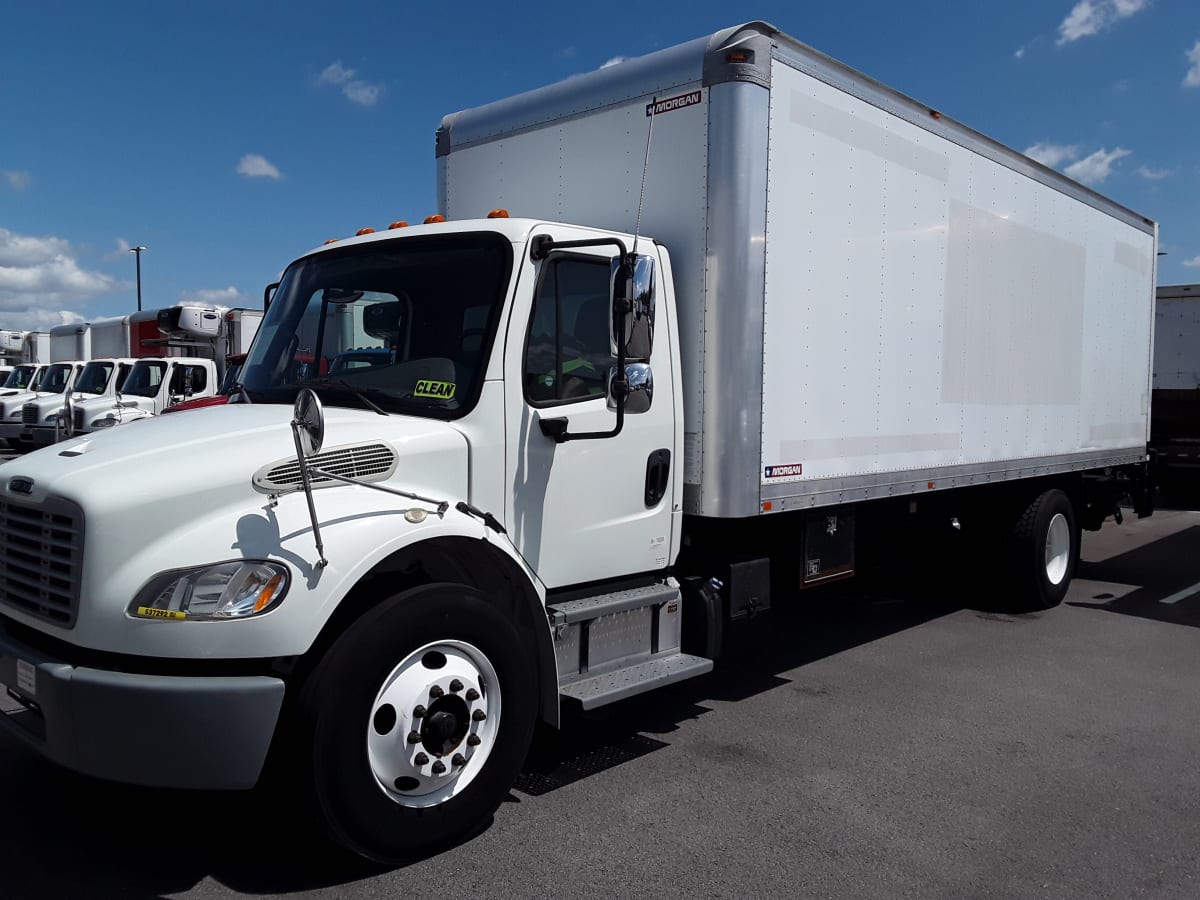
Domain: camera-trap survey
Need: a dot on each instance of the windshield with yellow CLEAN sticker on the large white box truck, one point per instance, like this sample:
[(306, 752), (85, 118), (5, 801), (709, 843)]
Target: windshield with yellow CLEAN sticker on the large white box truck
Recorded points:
[(406, 325)]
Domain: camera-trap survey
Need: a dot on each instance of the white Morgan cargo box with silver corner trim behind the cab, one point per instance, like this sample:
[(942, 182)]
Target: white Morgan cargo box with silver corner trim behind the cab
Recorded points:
[(874, 301)]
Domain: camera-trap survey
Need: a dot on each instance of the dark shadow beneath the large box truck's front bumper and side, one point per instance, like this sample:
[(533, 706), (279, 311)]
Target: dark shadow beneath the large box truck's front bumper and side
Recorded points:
[(139, 843)]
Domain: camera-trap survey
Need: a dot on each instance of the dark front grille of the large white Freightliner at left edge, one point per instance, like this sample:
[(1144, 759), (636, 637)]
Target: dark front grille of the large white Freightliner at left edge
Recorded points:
[(41, 559)]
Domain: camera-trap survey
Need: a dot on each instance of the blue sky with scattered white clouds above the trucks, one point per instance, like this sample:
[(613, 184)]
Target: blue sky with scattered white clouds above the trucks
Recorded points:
[(231, 137)]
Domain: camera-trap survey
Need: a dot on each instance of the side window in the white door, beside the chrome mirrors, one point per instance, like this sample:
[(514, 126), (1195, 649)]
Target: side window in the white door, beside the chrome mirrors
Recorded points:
[(568, 352)]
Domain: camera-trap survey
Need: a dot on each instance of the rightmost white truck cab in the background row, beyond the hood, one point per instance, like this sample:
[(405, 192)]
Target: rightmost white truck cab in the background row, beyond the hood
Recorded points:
[(153, 386)]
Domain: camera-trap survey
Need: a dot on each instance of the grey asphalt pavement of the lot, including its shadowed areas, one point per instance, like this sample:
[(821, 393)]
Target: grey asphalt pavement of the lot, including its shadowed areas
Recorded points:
[(892, 740)]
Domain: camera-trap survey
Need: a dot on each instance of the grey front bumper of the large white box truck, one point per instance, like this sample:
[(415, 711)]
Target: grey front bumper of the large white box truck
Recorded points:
[(208, 733)]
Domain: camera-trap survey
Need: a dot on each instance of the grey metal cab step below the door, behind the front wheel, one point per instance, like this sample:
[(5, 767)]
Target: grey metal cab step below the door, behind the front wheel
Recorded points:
[(620, 644)]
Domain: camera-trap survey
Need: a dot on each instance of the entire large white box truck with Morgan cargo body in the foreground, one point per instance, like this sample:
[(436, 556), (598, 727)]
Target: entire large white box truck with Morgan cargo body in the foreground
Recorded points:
[(573, 453)]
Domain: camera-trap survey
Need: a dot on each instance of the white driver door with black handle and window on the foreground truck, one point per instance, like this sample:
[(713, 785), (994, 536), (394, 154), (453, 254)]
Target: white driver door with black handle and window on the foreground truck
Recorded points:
[(580, 511)]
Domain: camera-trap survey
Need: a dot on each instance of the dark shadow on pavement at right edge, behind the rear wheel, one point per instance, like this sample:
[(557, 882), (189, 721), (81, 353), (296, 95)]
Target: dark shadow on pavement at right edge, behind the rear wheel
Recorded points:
[(1161, 571)]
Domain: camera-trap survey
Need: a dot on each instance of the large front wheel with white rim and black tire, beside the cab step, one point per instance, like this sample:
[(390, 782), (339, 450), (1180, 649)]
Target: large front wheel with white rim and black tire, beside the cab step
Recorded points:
[(419, 721)]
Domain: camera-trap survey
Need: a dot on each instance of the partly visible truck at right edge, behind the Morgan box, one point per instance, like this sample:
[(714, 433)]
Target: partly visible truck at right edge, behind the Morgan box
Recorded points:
[(1175, 400)]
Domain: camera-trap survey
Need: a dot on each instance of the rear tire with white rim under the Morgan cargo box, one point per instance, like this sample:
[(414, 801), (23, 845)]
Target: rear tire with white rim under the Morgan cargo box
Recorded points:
[(1046, 550)]
